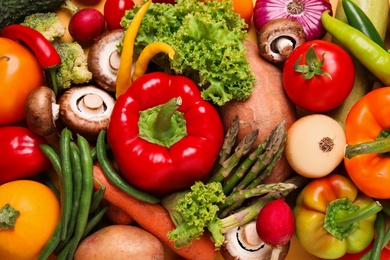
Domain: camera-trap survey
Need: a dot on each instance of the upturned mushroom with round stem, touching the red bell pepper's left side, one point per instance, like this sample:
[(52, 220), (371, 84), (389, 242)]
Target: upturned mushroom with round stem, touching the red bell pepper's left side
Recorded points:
[(86, 110)]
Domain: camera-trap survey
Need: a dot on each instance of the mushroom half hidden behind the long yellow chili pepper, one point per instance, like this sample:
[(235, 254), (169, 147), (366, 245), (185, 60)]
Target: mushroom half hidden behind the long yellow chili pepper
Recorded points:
[(104, 59)]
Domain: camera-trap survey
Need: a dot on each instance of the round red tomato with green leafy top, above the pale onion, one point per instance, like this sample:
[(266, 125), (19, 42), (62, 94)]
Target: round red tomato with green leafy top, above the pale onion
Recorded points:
[(330, 75)]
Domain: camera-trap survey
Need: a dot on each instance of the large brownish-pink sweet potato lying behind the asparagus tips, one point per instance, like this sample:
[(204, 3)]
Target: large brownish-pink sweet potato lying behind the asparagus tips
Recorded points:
[(267, 106)]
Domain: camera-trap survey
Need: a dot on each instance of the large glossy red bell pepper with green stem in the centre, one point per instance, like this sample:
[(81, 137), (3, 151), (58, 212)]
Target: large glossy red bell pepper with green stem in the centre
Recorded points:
[(163, 135)]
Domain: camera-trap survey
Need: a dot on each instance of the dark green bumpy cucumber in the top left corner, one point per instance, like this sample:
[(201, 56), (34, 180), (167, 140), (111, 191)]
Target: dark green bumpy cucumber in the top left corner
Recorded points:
[(14, 11)]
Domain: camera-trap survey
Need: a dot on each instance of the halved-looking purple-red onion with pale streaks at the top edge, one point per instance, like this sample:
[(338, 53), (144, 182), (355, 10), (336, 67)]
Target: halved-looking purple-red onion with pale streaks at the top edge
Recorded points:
[(306, 12)]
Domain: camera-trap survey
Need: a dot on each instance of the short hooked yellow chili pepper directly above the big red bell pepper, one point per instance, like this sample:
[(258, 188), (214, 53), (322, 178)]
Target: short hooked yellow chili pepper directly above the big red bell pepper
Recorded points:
[(148, 53)]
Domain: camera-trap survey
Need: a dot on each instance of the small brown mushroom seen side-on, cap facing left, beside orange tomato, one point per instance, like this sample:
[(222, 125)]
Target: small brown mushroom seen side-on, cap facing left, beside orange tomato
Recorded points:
[(41, 111)]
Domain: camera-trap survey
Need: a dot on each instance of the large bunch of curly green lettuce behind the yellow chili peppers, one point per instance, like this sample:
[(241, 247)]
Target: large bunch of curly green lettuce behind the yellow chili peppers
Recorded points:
[(208, 40)]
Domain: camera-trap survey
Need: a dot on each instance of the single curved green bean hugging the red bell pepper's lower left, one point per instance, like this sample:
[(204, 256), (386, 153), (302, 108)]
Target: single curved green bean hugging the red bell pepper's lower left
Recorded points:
[(113, 176)]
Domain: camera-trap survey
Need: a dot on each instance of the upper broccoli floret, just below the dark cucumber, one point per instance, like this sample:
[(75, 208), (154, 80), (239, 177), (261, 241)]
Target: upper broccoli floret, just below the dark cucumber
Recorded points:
[(48, 24)]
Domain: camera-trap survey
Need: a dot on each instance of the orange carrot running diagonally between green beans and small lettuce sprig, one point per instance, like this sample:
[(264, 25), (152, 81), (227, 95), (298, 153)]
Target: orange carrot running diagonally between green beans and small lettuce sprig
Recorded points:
[(155, 219)]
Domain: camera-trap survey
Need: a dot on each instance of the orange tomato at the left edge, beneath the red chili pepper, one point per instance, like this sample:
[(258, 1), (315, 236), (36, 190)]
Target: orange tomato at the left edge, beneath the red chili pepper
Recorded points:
[(20, 73)]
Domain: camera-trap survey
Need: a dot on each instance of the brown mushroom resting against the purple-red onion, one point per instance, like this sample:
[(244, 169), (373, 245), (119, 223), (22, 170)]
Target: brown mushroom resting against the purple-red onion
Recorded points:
[(278, 38)]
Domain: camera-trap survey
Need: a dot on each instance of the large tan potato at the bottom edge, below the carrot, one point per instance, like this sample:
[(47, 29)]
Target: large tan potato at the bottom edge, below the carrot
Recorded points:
[(120, 242)]
